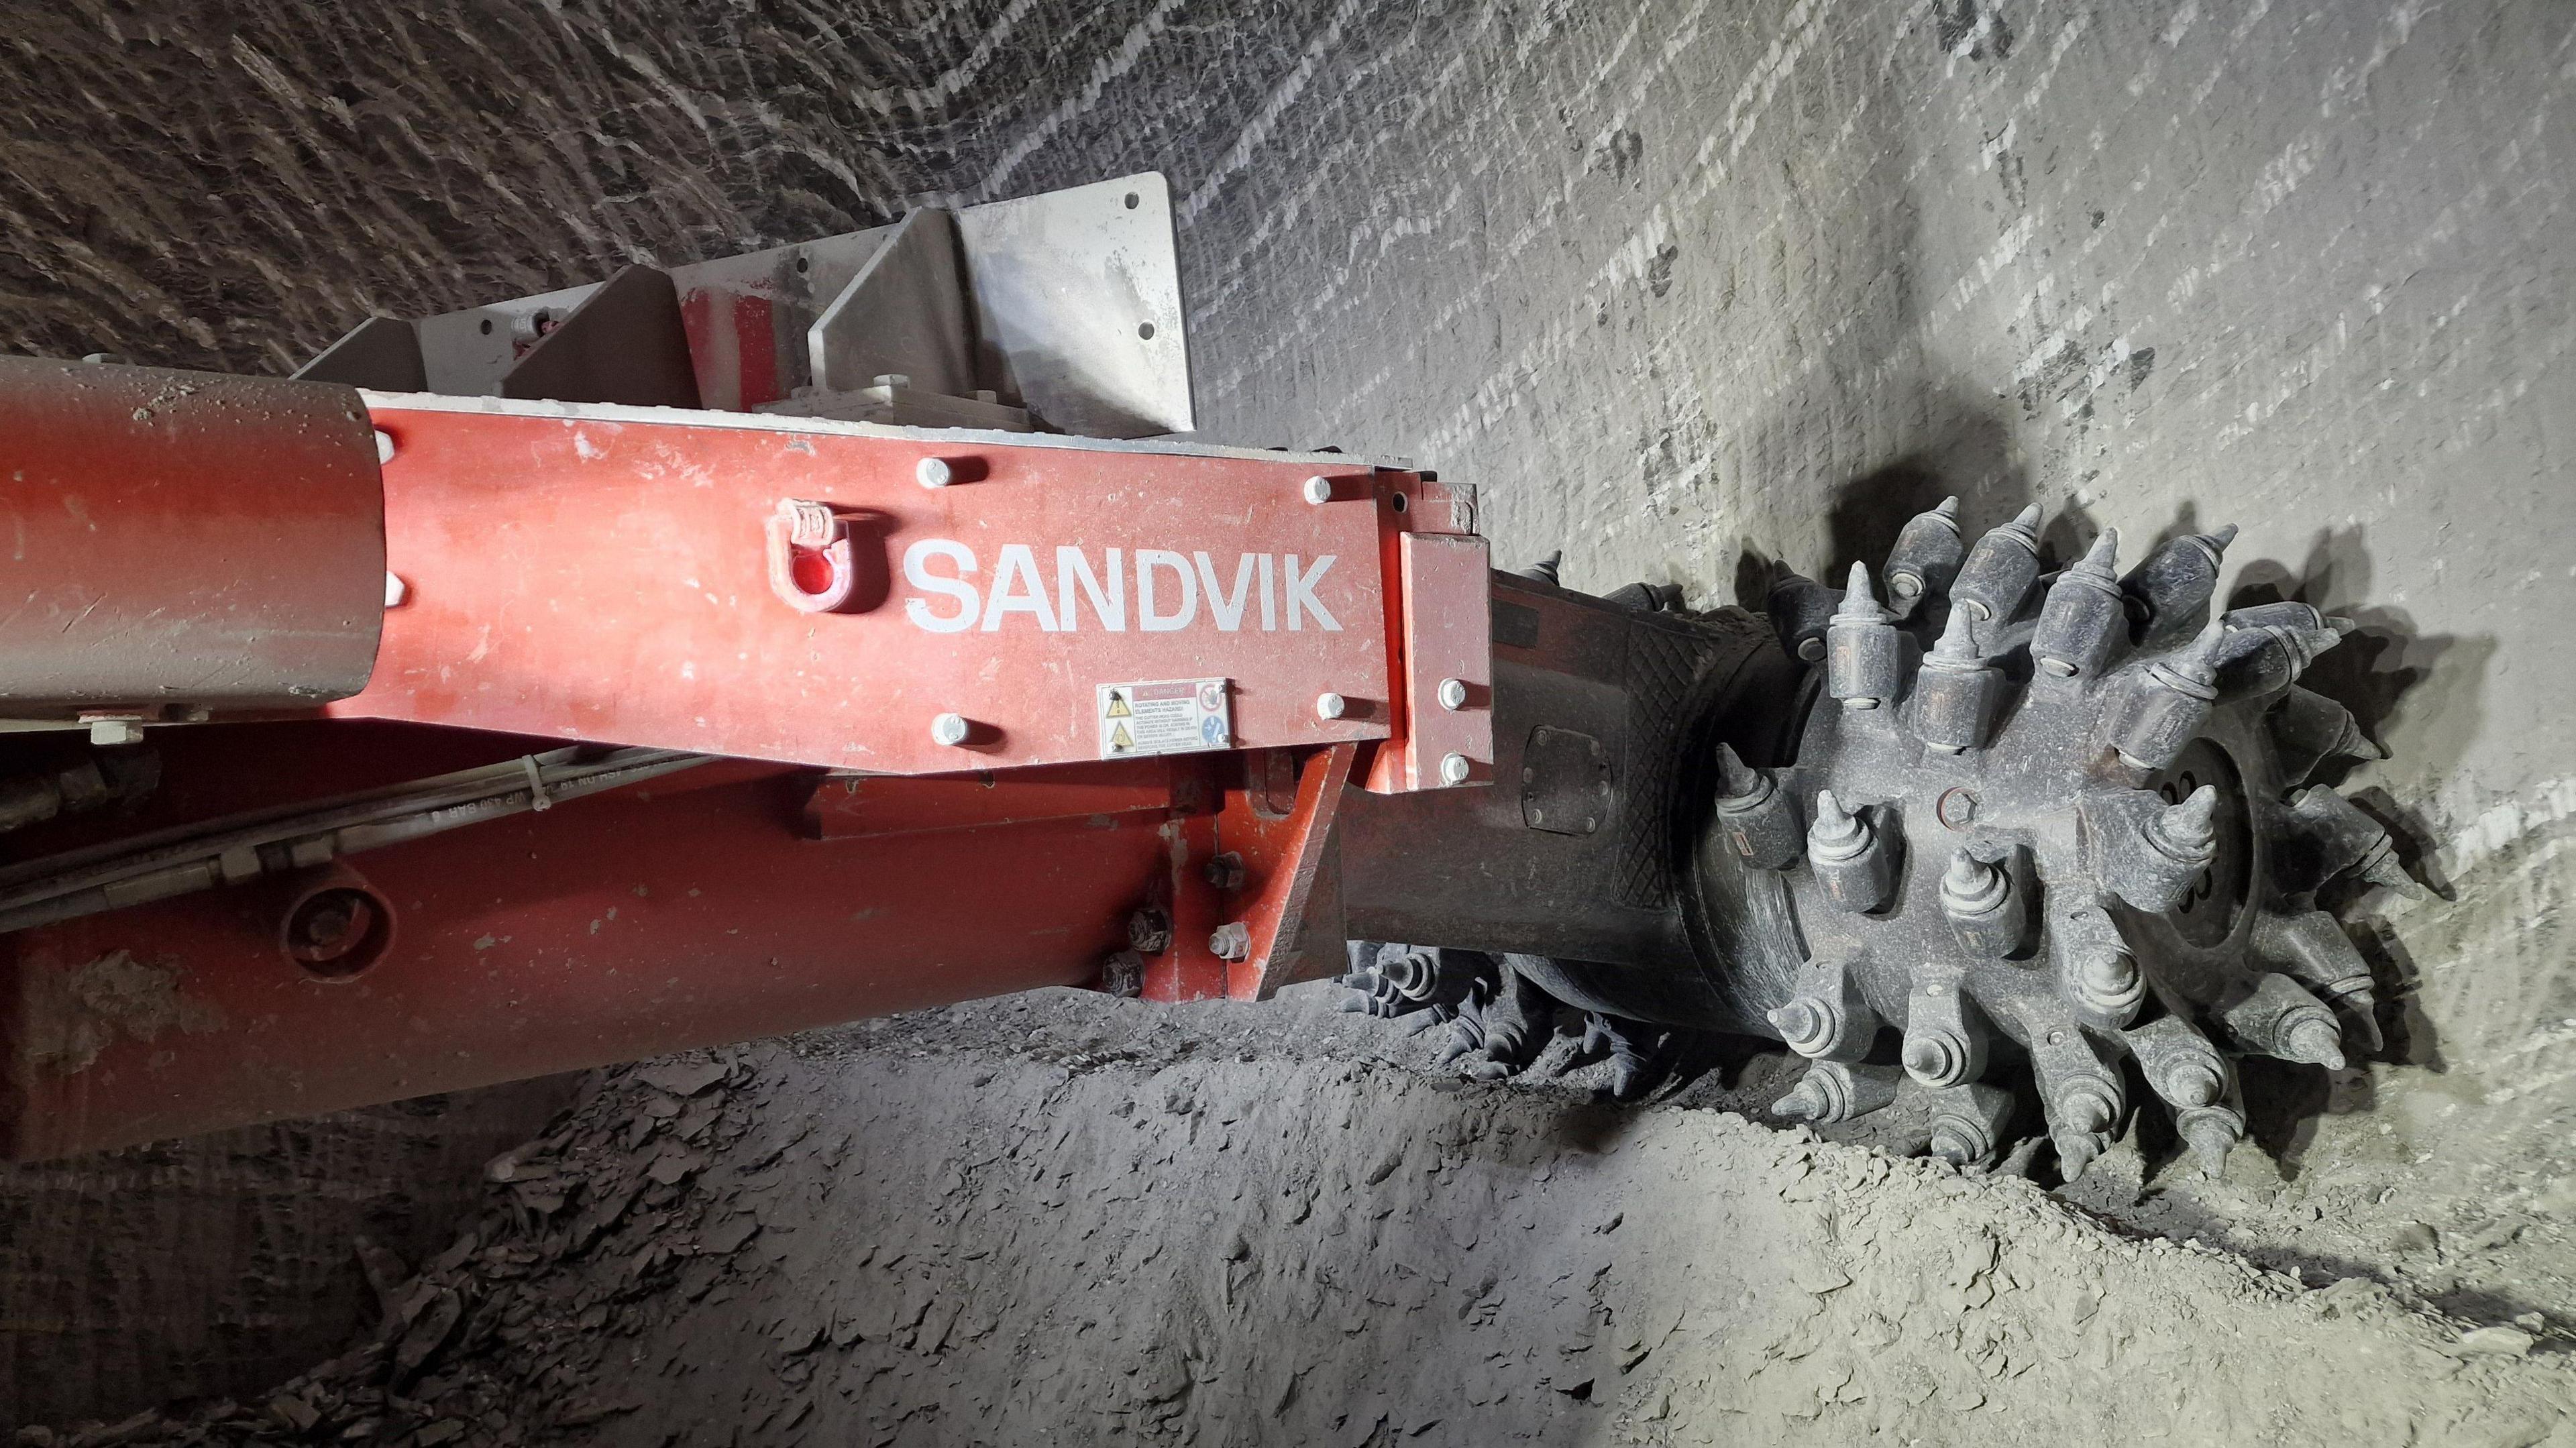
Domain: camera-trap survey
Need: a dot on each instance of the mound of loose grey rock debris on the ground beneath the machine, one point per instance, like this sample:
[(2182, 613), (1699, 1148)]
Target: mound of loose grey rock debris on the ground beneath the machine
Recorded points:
[(844, 1243)]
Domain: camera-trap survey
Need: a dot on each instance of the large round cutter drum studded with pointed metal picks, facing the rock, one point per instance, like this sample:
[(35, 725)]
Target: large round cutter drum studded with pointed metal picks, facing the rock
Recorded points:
[(2155, 818)]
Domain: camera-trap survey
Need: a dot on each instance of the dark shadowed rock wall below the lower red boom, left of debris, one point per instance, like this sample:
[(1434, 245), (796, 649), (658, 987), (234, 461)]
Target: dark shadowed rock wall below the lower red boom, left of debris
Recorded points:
[(225, 1264)]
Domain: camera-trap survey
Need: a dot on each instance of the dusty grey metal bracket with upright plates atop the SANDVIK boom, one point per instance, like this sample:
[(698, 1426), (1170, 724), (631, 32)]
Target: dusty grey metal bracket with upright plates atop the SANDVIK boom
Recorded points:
[(1055, 310)]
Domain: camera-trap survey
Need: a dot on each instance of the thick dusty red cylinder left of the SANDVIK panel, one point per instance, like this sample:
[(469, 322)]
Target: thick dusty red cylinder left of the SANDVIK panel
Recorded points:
[(184, 540)]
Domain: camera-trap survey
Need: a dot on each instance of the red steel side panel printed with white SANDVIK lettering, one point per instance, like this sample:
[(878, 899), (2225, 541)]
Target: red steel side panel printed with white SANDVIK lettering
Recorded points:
[(604, 576)]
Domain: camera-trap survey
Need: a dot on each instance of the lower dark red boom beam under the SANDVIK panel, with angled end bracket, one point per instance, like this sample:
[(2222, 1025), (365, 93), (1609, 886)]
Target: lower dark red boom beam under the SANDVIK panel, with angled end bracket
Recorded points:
[(689, 911)]
